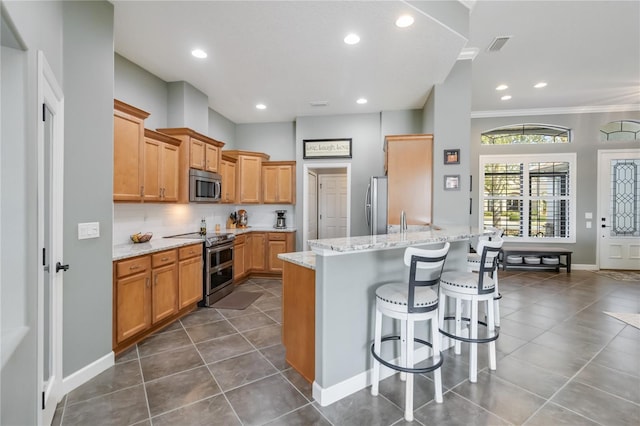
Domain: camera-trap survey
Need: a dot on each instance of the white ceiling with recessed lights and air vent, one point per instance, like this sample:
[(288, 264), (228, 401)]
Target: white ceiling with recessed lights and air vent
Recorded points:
[(288, 54)]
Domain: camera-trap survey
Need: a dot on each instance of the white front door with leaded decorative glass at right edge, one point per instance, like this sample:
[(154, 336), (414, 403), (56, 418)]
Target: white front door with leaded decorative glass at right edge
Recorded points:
[(618, 218)]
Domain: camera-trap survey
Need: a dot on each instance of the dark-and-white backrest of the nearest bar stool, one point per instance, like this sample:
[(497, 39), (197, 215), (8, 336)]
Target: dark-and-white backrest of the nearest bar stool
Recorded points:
[(430, 264)]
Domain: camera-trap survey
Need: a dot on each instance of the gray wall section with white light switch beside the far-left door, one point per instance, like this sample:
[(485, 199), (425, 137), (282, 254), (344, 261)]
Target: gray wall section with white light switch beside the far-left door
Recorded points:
[(88, 176)]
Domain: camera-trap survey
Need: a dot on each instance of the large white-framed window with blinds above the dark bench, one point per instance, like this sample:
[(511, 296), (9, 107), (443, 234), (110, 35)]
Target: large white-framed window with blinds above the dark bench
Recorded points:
[(530, 197)]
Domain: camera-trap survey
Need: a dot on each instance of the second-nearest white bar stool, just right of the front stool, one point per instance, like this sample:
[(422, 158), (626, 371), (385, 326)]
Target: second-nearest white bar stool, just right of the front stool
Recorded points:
[(471, 288)]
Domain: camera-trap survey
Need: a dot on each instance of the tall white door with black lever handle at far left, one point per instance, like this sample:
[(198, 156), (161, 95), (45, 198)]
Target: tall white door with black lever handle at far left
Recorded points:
[(50, 157)]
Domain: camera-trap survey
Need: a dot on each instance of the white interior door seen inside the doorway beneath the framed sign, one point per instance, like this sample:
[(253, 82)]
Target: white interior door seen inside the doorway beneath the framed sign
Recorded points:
[(332, 206)]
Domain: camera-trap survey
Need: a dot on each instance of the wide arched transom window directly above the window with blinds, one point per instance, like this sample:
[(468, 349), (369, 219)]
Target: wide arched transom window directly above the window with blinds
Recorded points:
[(517, 134)]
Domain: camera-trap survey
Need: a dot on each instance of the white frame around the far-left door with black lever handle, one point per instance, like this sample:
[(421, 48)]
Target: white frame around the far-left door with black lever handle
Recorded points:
[(49, 93)]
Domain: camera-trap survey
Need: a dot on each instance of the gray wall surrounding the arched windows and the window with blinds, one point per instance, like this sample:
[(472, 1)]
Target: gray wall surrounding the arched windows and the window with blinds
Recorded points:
[(586, 143)]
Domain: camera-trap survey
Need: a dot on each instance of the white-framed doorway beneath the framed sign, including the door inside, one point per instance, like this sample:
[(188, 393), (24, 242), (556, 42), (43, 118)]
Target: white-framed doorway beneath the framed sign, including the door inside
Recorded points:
[(326, 211)]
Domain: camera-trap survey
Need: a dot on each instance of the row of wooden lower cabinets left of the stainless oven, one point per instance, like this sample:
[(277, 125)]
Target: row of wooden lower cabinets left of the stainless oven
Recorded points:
[(151, 291)]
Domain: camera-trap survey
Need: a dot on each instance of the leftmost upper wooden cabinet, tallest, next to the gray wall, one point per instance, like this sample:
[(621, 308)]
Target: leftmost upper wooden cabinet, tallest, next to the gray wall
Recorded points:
[(128, 155)]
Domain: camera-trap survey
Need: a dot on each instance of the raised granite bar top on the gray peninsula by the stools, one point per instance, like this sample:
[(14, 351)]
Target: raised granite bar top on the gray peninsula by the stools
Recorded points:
[(333, 246)]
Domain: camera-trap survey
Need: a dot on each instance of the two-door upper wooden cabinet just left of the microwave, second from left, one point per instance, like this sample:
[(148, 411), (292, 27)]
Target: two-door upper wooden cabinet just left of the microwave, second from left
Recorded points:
[(161, 167)]
